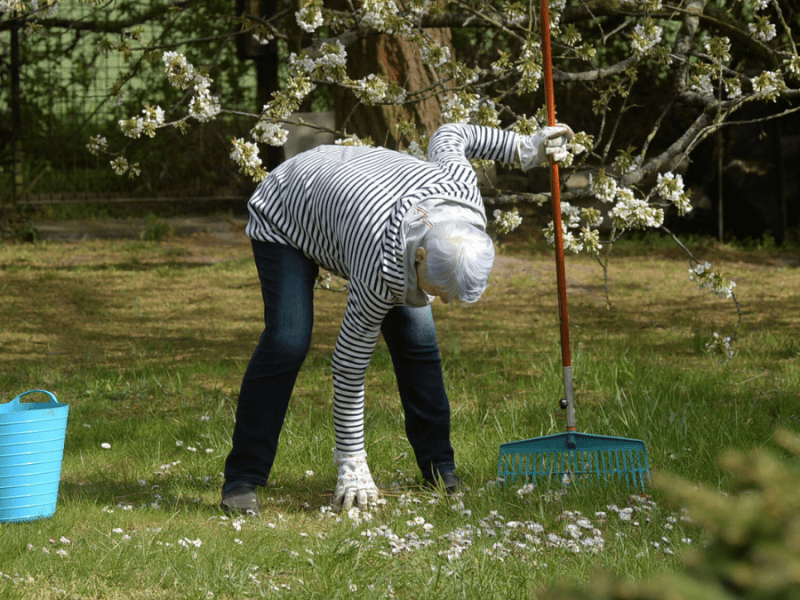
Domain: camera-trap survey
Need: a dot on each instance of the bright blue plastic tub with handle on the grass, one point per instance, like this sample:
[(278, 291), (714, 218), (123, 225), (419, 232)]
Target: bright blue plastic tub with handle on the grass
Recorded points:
[(31, 450)]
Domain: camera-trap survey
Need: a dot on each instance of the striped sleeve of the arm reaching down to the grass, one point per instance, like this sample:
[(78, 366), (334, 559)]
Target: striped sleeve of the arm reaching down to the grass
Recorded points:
[(355, 345)]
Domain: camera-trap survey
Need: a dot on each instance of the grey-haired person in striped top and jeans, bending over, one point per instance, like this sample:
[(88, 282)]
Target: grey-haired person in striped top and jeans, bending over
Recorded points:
[(402, 231)]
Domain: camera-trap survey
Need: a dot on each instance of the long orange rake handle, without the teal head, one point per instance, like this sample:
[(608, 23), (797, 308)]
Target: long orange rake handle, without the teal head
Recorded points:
[(555, 192)]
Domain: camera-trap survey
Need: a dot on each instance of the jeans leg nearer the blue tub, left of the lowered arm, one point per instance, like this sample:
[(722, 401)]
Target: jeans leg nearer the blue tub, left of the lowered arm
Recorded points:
[(287, 287)]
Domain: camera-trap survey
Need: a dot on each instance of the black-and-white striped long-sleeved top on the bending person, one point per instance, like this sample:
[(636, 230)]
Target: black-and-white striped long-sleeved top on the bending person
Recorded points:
[(343, 207)]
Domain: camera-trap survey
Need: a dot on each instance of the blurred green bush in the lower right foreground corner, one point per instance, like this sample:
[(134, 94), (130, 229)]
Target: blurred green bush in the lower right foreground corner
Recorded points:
[(753, 548)]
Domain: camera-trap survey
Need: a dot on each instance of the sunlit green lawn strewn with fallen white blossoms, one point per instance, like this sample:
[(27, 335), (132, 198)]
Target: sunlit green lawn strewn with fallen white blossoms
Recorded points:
[(147, 342)]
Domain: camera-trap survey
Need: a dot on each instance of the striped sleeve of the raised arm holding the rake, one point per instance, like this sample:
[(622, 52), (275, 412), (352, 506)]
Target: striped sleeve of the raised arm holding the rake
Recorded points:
[(453, 144)]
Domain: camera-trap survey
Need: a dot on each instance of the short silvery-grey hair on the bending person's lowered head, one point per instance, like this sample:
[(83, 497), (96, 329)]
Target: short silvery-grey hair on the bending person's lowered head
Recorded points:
[(459, 260)]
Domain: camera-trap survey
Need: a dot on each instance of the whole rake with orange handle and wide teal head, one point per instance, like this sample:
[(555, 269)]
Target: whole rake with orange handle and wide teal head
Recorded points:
[(570, 457)]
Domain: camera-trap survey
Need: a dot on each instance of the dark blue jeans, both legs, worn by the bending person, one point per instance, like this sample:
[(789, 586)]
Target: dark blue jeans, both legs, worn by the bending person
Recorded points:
[(287, 287)]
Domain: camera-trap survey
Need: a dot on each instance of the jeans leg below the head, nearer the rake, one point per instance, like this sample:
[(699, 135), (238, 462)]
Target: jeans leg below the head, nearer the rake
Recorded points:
[(410, 335)]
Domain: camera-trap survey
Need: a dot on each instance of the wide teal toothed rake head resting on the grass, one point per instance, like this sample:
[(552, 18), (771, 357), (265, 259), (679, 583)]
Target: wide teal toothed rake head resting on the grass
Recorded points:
[(574, 458)]
